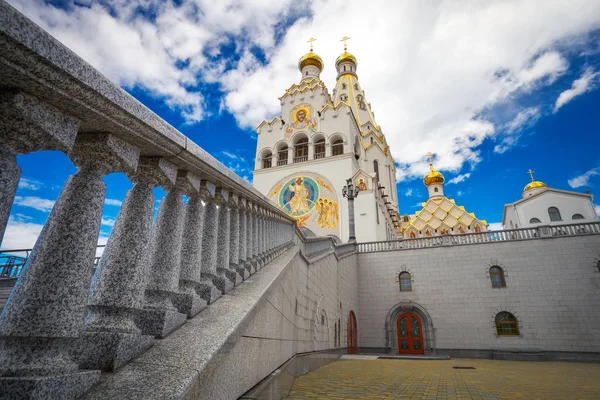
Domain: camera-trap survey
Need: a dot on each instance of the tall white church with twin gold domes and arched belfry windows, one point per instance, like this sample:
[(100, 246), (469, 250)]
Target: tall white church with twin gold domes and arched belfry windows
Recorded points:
[(306, 156)]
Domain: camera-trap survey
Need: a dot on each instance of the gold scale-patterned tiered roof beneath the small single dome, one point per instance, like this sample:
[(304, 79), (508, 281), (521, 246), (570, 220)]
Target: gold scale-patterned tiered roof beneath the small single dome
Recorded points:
[(441, 216)]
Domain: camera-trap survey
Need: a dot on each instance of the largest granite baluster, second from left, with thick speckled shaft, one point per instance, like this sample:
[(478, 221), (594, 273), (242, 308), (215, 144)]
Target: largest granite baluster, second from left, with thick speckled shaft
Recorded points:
[(43, 317)]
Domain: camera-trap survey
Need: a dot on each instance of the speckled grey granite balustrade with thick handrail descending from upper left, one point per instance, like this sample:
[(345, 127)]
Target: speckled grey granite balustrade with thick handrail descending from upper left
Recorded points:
[(154, 273)]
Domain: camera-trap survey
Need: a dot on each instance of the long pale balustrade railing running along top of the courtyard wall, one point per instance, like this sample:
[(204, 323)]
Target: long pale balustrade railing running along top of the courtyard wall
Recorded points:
[(546, 231)]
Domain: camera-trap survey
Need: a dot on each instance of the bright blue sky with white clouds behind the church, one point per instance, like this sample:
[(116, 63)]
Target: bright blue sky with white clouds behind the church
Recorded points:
[(493, 89)]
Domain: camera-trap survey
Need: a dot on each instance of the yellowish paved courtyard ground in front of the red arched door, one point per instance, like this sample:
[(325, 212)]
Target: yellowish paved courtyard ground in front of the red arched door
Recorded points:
[(411, 379)]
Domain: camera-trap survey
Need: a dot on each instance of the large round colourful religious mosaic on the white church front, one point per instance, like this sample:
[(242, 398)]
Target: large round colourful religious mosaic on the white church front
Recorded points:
[(310, 199)]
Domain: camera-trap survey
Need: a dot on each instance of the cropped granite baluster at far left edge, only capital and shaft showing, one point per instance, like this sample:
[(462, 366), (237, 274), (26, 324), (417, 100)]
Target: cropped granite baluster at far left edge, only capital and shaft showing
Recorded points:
[(27, 125)]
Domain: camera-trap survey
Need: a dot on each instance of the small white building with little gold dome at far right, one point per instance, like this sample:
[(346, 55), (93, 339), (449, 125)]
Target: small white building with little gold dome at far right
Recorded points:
[(542, 205)]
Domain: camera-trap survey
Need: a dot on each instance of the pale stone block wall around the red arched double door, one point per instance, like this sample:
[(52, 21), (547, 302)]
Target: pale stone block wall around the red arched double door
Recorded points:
[(552, 288)]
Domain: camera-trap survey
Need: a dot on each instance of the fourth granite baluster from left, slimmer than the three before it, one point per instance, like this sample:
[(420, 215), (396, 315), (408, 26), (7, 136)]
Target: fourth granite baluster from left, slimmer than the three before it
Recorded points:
[(160, 317)]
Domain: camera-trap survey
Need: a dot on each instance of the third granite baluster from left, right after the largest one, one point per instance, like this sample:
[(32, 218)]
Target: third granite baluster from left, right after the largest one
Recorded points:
[(111, 337)]
